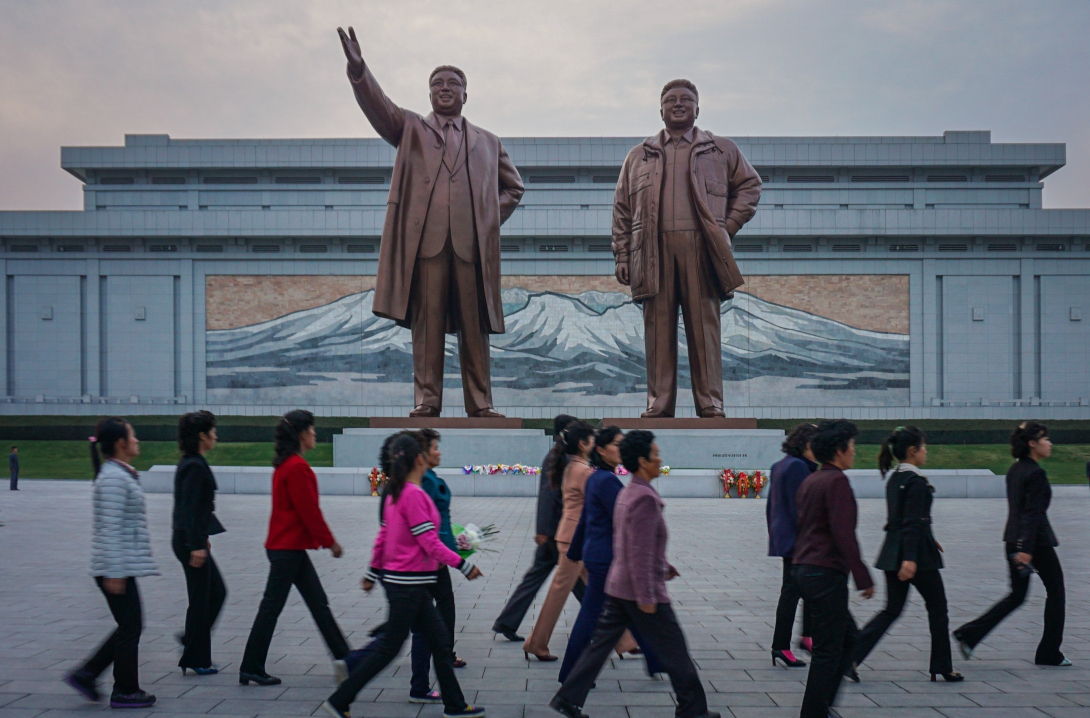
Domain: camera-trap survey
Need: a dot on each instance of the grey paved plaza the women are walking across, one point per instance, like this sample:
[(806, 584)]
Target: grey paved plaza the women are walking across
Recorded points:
[(52, 617)]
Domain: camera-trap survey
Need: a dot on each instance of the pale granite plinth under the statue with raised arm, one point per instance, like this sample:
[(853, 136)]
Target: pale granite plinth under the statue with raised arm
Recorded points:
[(461, 447)]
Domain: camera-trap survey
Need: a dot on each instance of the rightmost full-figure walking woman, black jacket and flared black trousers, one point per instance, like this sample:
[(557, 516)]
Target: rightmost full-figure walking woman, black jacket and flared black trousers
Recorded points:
[(1031, 546)]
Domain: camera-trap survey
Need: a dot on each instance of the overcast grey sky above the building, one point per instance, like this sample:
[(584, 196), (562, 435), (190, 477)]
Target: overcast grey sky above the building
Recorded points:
[(86, 72)]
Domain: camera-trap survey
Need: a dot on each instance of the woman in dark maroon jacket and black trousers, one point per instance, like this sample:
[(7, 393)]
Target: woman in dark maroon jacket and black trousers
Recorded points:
[(826, 553)]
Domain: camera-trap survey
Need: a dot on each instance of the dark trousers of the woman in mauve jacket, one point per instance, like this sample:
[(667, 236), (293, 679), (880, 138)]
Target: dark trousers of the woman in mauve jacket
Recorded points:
[(663, 635)]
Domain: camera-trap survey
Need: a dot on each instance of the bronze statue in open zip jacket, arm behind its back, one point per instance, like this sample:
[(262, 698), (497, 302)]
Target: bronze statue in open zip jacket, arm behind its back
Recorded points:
[(682, 198)]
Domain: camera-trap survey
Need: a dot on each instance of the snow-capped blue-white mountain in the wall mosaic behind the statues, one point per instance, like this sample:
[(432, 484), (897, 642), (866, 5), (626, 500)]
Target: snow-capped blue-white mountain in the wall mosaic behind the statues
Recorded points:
[(560, 349)]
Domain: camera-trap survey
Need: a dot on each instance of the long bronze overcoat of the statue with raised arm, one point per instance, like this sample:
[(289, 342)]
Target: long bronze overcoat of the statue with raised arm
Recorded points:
[(495, 185)]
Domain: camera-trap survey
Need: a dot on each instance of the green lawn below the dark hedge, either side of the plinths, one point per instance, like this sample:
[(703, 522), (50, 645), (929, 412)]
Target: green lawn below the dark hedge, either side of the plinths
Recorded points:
[(72, 459)]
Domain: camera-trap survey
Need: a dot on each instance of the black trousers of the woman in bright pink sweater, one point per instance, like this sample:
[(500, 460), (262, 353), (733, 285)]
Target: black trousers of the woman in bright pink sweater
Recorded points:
[(411, 610)]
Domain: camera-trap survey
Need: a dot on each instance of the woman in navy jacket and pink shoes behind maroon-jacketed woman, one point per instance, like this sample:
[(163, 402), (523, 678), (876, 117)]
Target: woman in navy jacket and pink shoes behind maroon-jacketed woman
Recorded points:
[(782, 513)]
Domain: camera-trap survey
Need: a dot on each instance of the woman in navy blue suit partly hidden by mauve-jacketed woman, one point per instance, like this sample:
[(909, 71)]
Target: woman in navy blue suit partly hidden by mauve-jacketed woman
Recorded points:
[(592, 544)]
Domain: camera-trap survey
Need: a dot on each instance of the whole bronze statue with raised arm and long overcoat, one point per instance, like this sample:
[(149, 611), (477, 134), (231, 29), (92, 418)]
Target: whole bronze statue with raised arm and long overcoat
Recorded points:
[(439, 263)]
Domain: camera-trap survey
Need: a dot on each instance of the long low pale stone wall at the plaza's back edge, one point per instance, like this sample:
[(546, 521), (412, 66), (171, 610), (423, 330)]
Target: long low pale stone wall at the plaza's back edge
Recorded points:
[(681, 483)]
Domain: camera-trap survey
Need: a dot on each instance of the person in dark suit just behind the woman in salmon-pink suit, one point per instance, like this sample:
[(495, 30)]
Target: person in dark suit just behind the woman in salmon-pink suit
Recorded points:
[(550, 508)]
